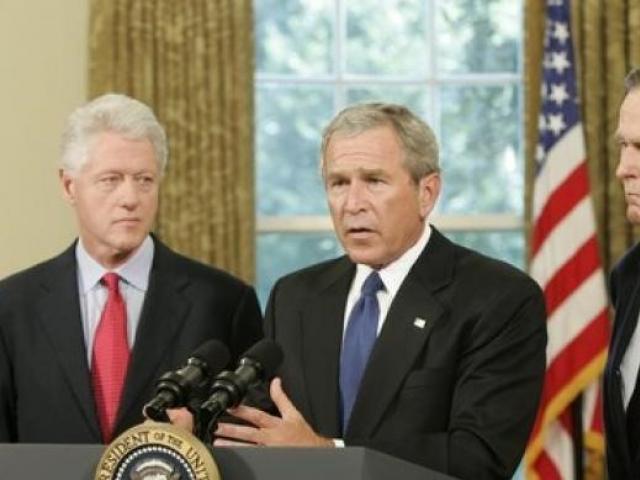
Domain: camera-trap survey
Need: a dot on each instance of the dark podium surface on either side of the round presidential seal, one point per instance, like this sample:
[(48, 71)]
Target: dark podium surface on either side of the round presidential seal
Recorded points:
[(77, 462)]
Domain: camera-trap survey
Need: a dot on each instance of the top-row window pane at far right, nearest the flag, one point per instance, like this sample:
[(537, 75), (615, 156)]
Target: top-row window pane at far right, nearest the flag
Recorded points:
[(478, 36)]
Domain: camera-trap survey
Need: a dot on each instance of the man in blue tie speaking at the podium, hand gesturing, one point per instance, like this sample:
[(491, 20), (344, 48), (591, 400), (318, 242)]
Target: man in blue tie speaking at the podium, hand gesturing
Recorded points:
[(410, 344)]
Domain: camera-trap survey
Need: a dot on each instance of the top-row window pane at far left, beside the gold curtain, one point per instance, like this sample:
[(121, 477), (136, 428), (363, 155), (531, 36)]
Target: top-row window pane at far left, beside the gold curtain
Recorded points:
[(294, 36)]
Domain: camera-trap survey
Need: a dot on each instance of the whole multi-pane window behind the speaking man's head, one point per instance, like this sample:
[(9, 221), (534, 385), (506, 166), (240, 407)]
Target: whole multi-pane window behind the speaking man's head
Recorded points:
[(456, 63)]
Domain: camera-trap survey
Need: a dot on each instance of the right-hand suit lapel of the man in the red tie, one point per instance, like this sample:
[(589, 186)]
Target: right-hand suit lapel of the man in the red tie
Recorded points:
[(163, 313)]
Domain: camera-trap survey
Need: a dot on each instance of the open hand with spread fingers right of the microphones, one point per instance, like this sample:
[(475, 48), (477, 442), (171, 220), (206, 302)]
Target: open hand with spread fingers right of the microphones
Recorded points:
[(289, 430)]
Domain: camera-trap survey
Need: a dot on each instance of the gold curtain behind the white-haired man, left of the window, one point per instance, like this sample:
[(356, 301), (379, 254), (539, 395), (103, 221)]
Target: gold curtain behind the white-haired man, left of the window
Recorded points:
[(192, 62)]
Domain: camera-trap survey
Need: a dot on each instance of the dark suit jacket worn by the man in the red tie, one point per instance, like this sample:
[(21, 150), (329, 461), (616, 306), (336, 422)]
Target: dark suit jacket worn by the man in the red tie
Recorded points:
[(45, 385)]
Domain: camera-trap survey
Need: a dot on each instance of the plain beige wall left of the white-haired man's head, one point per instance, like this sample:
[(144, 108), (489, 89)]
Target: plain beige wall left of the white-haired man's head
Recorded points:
[(43, 65)]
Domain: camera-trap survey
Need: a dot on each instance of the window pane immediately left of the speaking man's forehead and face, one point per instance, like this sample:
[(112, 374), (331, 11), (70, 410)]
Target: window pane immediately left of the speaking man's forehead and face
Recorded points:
[(289, 124)]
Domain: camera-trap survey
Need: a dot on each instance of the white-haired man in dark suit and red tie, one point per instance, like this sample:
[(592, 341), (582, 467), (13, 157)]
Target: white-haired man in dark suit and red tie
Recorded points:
[(84, 336)]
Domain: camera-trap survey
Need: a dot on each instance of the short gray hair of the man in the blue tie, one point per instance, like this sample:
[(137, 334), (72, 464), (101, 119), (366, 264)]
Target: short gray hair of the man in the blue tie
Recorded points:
[(416, 138)]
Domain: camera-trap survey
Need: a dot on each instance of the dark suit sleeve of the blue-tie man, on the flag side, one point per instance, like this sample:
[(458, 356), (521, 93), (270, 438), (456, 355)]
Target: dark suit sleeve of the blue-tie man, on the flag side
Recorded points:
[(498, 382)]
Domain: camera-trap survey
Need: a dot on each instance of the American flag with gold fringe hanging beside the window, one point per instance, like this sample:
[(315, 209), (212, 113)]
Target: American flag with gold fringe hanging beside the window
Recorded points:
[(566, 264)]
